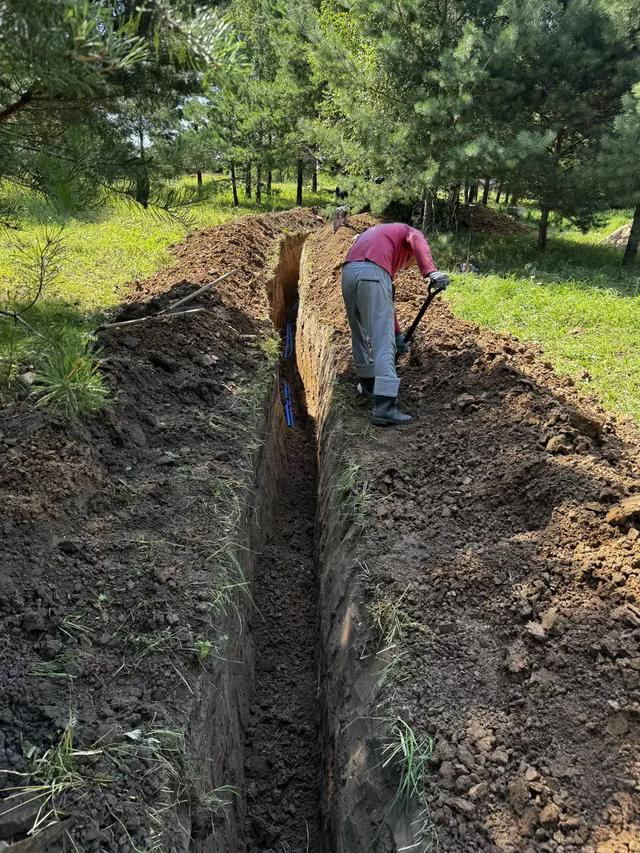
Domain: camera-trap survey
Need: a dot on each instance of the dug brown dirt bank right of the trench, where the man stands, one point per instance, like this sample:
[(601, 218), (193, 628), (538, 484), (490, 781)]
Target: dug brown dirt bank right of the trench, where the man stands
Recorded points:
[(512, 589)]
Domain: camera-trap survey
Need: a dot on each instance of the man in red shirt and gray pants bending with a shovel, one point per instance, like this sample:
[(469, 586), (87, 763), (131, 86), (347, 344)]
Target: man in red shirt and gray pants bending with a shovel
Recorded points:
[(367, 287)]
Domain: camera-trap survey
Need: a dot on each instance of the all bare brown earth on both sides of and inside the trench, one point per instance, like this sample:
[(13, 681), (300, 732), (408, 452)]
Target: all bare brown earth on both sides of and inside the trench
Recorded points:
[(478, 534)]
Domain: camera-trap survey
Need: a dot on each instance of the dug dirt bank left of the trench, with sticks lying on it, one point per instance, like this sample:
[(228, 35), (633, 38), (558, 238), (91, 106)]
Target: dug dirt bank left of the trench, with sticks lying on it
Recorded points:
[(116, 664)]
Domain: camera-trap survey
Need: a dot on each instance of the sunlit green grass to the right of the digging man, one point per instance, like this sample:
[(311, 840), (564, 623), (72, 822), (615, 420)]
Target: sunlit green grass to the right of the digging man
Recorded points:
[(575, 300)]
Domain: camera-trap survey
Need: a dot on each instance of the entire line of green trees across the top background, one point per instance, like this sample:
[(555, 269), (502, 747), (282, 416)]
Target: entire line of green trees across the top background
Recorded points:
[(444, 100)]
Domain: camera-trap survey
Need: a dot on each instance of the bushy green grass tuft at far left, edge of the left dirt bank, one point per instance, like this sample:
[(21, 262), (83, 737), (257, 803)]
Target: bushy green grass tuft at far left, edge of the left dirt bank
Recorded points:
[(68, 379)]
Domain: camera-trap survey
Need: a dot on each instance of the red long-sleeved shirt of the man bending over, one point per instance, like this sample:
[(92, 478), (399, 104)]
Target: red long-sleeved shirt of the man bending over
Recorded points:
[(393, 247)]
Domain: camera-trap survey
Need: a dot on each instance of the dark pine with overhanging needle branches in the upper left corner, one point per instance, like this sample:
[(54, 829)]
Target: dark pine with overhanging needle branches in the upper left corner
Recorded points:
[(75, 75)]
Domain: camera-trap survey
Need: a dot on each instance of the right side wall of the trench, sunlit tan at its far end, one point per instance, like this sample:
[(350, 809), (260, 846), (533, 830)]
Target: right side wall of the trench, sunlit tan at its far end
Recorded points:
[(357, 792)]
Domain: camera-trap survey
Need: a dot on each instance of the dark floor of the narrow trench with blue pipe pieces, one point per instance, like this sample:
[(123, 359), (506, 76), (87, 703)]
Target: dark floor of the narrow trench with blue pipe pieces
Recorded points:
[(282, 751)]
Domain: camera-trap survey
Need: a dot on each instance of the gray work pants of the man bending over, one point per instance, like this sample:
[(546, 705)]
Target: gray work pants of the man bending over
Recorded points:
[(368, 296)]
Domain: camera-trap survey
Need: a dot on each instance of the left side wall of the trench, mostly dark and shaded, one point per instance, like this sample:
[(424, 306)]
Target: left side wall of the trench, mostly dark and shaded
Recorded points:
[(220, 715)]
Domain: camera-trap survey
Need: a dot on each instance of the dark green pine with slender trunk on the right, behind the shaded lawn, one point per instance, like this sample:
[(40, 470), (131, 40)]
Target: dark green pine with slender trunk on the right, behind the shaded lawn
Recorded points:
[(557, 72)]
